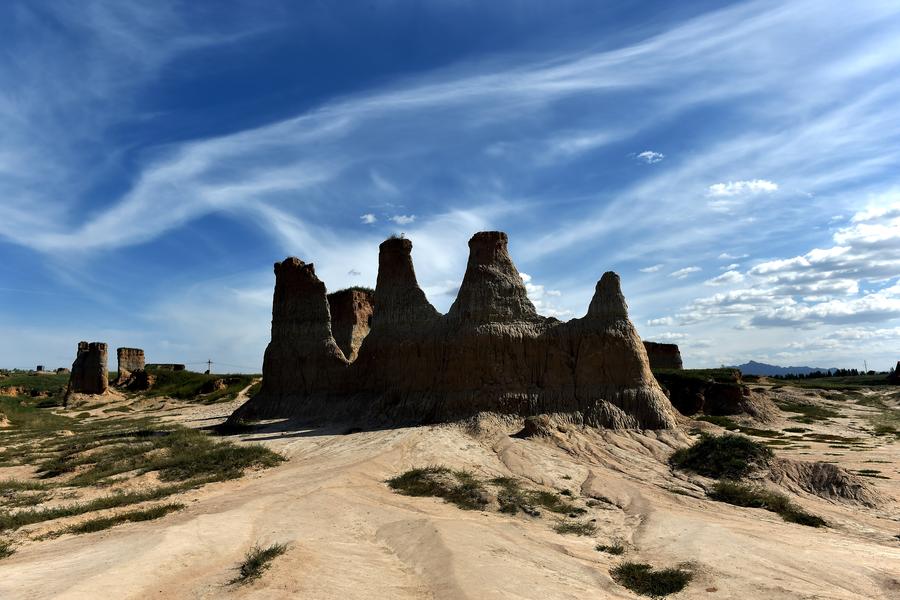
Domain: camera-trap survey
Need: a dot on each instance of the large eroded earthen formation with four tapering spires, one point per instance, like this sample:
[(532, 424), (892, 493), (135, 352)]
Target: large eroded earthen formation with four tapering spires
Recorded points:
[(491, 352)]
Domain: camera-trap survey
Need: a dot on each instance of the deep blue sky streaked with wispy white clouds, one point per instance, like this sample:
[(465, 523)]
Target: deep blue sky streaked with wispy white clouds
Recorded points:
[(736, 163)]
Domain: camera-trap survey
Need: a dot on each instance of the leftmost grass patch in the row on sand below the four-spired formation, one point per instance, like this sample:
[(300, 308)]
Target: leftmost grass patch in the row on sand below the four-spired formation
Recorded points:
[(457, 487)]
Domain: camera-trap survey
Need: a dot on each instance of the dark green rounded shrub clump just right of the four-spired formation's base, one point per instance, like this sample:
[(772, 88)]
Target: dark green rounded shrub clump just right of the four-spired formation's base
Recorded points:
[(722, 457)]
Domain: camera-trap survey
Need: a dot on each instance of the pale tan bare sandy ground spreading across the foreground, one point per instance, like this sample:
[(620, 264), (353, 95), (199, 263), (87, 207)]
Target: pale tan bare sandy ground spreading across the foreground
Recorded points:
[(350, 536)]
